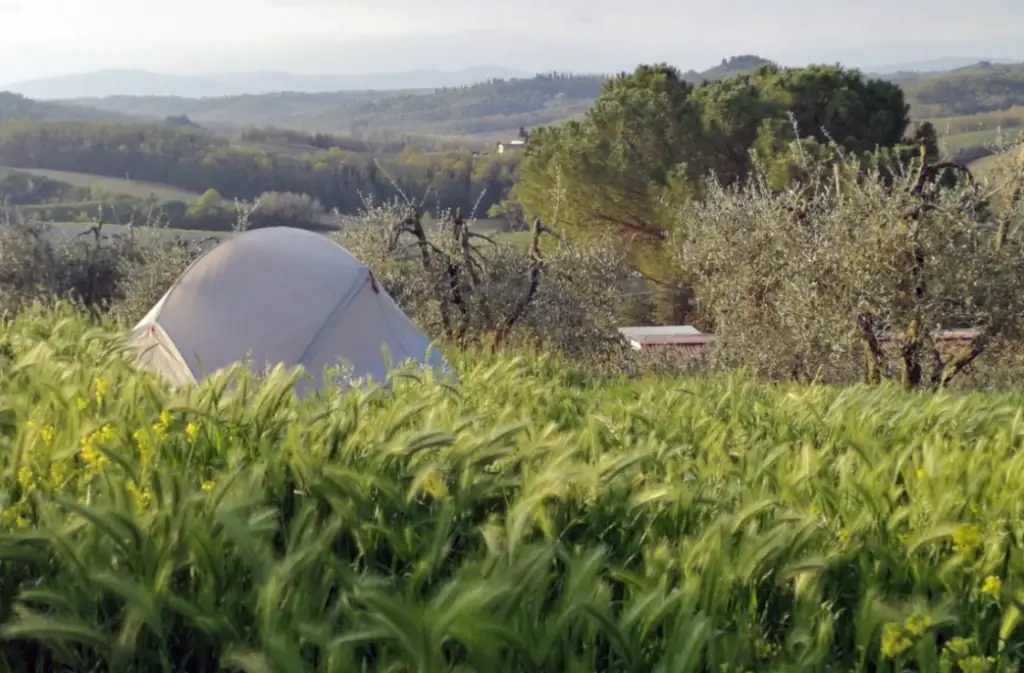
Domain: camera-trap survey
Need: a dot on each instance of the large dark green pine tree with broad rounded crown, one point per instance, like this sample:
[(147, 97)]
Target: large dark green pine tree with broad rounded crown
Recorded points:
[(652, 142)]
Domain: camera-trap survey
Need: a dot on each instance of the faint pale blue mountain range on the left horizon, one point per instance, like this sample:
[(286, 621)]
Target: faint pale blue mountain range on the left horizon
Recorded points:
[(144, 83)]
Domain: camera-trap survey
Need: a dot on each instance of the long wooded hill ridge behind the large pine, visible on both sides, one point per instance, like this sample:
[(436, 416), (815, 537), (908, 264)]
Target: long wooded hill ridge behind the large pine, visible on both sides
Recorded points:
[(496, 108)]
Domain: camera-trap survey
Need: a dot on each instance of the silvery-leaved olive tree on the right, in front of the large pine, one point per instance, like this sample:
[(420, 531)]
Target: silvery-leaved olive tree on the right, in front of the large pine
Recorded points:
[(854, 275)]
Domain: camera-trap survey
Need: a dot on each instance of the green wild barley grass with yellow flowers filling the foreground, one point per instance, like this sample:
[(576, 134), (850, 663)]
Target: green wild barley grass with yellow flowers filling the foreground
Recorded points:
[(528, 520)]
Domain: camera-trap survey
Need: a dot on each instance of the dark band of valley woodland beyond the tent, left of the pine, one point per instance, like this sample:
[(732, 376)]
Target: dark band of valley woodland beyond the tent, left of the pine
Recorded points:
[(195, 160)]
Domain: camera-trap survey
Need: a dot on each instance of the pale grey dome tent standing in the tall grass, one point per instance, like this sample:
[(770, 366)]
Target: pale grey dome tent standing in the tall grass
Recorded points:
[(278, 296)]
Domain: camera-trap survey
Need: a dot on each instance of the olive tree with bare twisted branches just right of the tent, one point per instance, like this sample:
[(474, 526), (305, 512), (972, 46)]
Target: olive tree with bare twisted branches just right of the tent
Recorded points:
[(464, 287)]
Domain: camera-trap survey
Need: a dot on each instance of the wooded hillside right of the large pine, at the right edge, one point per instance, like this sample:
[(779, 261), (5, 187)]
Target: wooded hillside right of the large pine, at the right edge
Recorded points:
[(979, 89)]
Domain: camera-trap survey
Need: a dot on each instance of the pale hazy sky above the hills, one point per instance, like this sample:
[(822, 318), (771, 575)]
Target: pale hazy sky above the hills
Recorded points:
[(50, 37)]
